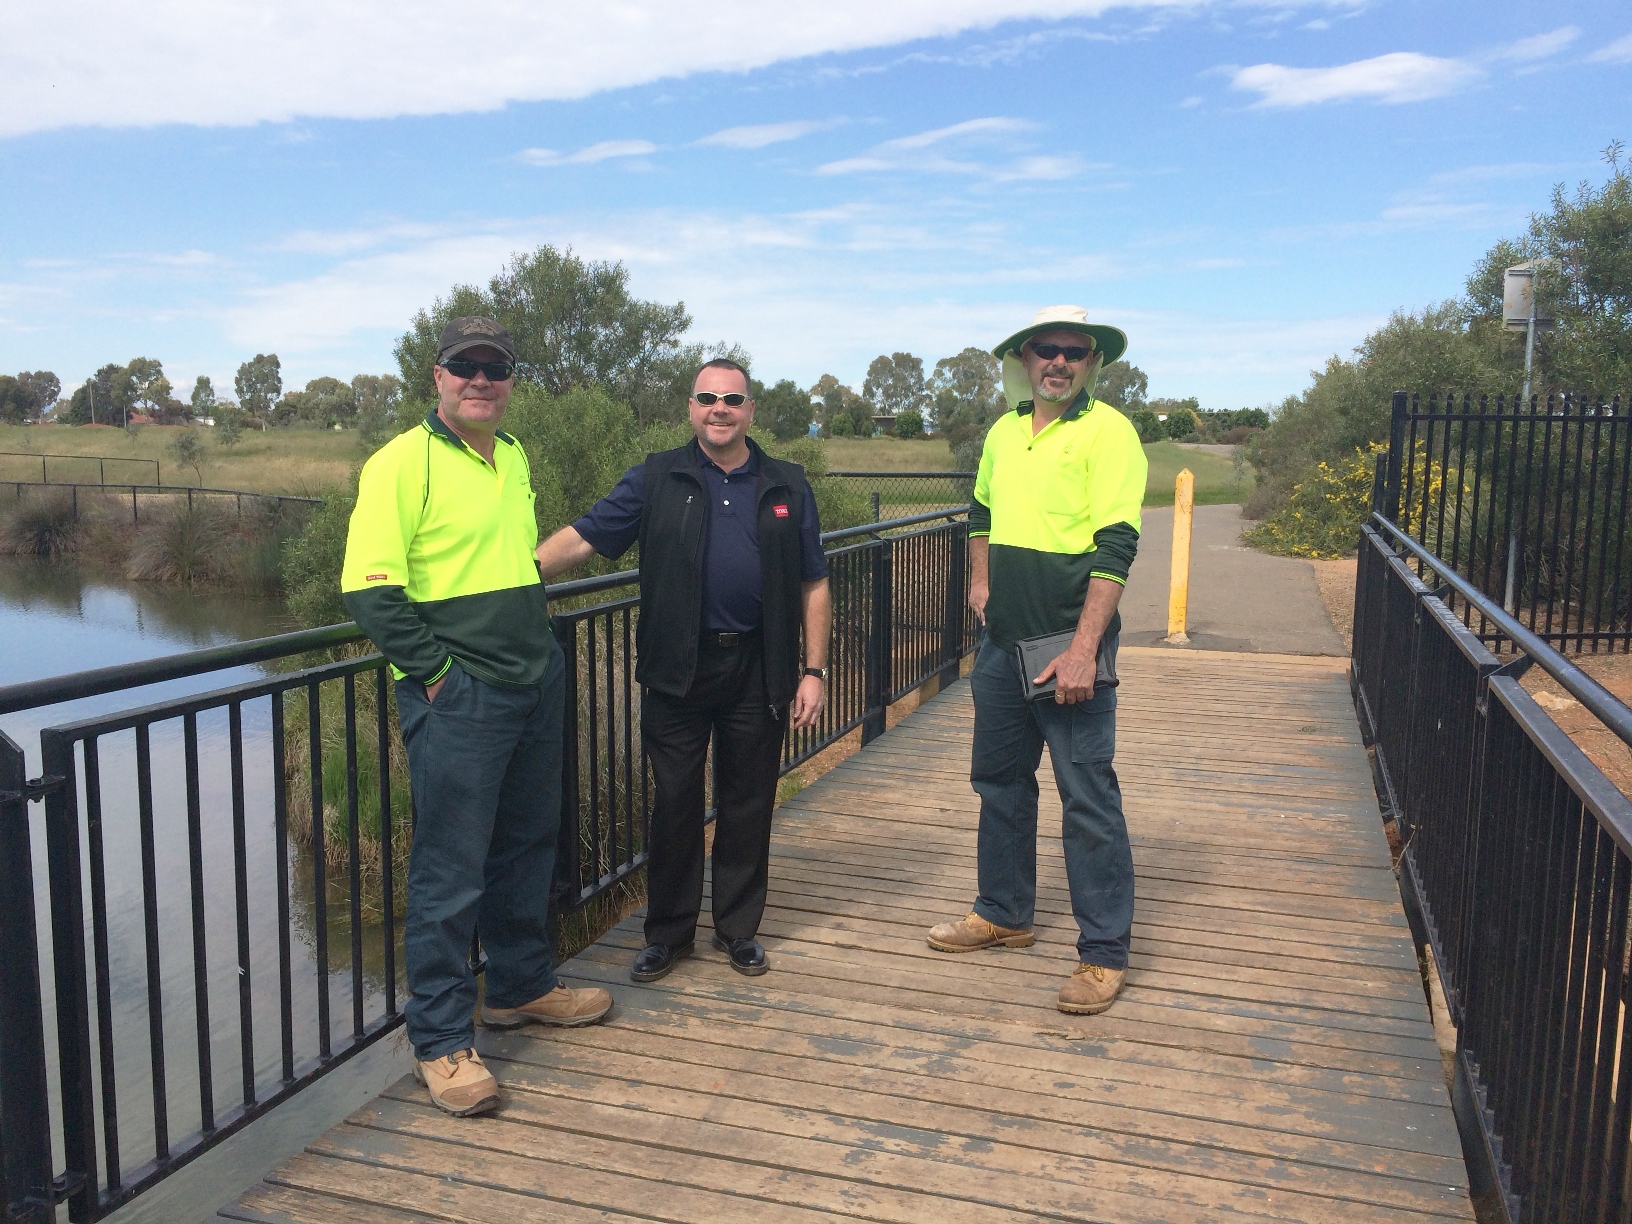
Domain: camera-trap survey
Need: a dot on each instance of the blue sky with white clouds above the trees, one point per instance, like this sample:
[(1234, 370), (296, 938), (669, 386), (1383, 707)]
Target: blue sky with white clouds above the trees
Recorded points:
[(1243, 187)]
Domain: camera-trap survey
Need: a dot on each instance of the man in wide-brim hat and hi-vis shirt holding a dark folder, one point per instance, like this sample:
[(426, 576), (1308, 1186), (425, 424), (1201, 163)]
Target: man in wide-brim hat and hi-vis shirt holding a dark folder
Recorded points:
[(1052, 538)]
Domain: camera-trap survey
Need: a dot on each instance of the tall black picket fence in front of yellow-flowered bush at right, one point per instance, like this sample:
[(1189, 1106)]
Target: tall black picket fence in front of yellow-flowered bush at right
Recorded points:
[(1528, 502)]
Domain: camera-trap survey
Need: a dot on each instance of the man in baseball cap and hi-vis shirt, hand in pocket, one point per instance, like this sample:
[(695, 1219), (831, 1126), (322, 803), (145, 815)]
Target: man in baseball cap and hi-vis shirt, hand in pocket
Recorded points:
[(440, 574)]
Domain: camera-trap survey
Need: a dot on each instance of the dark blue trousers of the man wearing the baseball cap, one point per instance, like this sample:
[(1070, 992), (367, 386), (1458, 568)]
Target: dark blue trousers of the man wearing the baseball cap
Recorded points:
[(486, 768)]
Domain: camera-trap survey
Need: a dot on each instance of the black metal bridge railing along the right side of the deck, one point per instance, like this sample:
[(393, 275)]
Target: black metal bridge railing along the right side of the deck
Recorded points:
[(1515, 871)]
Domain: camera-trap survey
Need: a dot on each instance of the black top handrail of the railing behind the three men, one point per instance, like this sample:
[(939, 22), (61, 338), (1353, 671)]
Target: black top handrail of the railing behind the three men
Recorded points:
[(97, 681)]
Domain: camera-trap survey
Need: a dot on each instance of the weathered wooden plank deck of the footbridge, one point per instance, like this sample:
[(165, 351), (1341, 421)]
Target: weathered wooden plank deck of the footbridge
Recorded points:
[(1272, 1057)]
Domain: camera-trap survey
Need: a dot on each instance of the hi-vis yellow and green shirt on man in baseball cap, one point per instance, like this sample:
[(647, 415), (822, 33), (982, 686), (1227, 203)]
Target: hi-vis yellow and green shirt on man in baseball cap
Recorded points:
[(440, 561)]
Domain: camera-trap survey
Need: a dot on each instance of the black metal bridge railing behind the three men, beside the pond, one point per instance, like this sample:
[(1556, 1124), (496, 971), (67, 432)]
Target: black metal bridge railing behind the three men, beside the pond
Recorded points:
[(220, 916)]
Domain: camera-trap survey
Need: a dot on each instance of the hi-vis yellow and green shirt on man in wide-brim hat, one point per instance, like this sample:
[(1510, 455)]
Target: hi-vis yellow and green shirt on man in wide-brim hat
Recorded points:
[(1060, 508)]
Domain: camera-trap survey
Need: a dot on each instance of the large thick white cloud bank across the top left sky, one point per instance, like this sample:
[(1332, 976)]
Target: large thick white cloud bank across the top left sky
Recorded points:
[(247, 61)]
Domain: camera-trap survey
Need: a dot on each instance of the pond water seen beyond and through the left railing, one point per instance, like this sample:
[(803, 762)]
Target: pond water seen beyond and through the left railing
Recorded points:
[(58, 619)]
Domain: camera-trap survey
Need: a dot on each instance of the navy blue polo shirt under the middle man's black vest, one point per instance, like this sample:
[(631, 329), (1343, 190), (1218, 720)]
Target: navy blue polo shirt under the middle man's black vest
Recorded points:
[(732, 579)]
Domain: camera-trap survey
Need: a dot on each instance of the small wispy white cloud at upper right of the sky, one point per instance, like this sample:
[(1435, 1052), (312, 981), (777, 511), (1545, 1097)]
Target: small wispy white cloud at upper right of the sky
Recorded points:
[(1395, 79)]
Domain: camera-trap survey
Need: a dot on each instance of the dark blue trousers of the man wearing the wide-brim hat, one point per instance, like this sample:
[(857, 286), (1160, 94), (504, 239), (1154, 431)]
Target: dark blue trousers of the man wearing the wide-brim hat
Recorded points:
[(1009, 737)]
